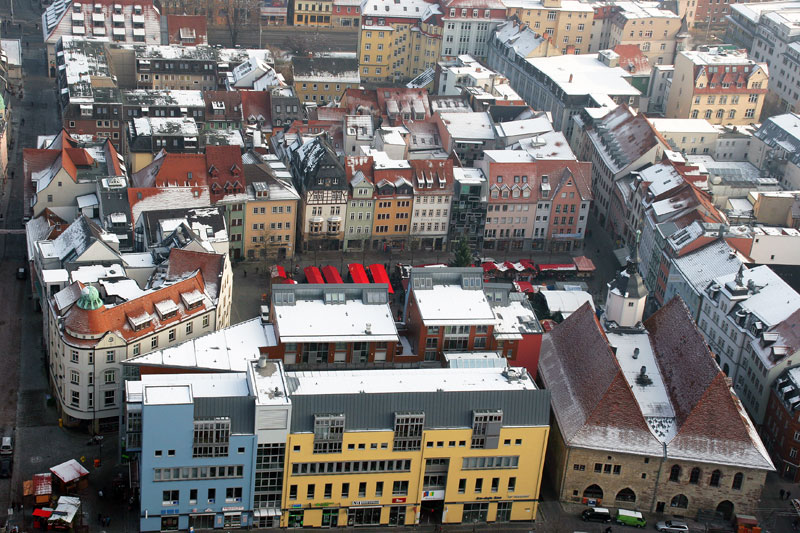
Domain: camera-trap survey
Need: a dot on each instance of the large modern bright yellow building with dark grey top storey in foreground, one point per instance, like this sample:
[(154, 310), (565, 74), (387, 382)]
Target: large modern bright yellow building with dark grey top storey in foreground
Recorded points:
[(377, 447)]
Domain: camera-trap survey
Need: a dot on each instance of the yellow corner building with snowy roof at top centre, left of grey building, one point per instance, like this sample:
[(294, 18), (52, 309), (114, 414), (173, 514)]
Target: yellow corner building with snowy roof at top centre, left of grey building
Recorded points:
[(398, 41)]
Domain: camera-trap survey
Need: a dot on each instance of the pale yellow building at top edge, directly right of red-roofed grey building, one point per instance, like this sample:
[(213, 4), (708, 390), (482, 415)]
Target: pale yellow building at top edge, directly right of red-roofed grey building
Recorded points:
[(568, 23)]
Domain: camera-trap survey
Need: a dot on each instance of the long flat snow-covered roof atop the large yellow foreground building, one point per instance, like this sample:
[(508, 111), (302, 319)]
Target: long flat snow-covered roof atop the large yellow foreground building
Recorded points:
[(407, 381)]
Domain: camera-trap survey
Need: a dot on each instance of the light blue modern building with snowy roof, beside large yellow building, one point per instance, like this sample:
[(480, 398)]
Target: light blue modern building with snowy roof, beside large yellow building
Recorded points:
[(198, 450)]
